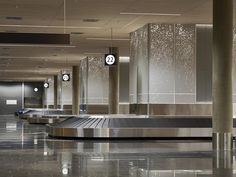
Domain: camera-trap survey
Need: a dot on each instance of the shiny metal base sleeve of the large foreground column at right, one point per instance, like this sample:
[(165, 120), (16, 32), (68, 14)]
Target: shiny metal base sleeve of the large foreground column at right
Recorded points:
[(222, 141)]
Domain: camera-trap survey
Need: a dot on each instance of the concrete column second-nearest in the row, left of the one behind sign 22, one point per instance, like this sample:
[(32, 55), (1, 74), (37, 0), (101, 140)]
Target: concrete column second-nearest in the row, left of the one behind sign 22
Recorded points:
[(75, 90)]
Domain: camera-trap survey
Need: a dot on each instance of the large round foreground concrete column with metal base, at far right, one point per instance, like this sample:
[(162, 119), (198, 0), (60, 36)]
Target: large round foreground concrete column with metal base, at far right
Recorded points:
[(222, 74)]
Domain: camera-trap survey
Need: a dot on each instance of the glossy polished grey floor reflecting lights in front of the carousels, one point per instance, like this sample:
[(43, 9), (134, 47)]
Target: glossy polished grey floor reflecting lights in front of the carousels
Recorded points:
[(26, 151)]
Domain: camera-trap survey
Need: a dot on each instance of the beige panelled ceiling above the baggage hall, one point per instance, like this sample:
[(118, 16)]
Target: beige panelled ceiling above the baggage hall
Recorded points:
[(87, 38)]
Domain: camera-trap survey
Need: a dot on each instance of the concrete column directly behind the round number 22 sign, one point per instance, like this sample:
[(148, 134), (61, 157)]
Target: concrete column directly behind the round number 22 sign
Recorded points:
[(114, 84)]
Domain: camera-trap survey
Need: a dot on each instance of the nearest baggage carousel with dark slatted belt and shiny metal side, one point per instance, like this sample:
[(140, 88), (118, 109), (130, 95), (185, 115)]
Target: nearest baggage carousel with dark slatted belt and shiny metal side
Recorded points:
[(152, 127)]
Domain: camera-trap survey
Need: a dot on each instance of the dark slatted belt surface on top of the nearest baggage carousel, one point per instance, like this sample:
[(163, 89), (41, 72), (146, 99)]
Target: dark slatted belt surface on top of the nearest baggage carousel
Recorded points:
[(75, 122)]
